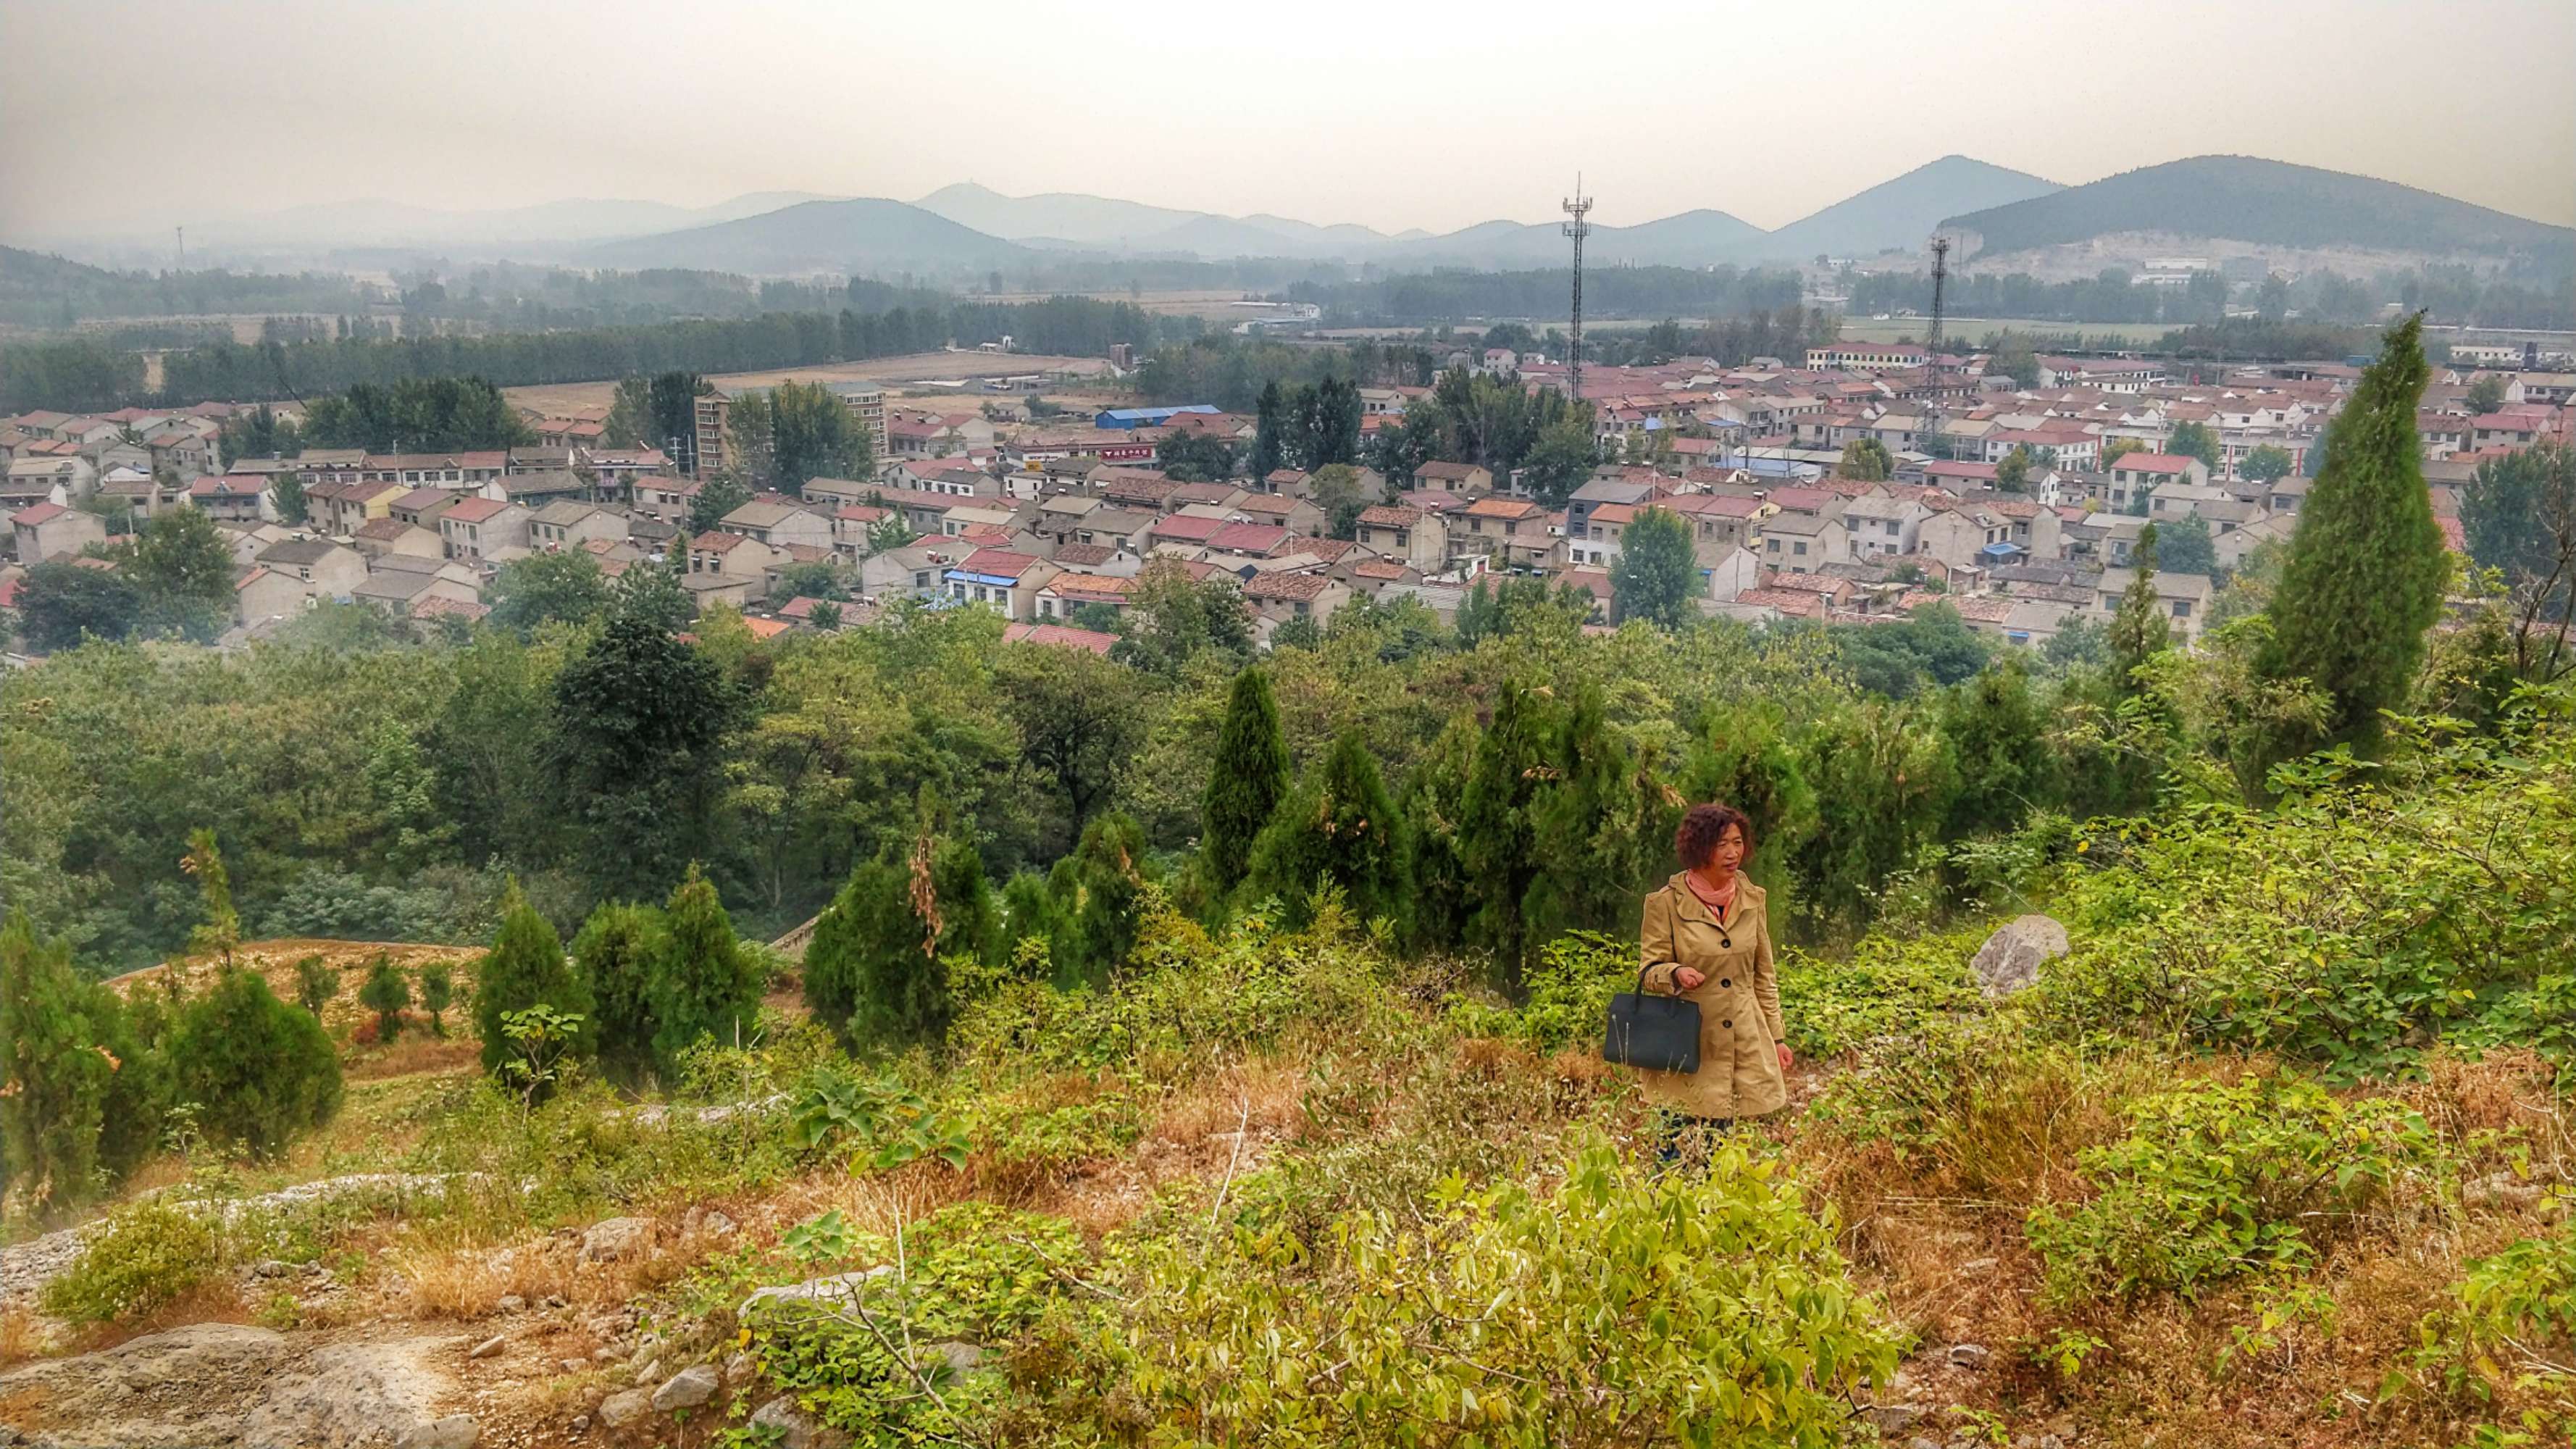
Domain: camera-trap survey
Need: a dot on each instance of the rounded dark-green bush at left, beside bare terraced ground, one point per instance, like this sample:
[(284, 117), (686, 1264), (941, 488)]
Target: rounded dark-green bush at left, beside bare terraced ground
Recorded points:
[(256, 1069)]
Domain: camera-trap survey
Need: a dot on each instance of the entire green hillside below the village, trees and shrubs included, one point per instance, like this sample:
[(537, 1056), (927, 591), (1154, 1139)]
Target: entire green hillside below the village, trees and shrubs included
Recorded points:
[(1199, 1051)]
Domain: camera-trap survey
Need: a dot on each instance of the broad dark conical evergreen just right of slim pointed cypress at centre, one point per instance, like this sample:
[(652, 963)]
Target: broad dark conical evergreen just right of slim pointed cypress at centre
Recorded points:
[(1338, 826)]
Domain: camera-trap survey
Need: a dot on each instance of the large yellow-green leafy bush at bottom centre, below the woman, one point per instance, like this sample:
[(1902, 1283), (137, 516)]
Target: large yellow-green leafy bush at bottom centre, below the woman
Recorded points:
[(1712, 1311)]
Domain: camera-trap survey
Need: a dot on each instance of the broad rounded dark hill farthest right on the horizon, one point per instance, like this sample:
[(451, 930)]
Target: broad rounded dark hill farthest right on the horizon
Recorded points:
[(2255, 200)]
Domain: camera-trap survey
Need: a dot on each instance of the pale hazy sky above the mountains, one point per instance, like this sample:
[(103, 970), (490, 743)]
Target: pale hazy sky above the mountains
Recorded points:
[(1395, 112)]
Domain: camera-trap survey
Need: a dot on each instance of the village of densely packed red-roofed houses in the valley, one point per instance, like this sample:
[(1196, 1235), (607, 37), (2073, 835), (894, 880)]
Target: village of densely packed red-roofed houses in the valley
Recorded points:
[(1861, 486)]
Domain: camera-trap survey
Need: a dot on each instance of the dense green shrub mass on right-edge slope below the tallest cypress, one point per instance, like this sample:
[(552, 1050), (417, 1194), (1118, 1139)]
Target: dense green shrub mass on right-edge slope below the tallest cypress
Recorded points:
[(2351, 927)]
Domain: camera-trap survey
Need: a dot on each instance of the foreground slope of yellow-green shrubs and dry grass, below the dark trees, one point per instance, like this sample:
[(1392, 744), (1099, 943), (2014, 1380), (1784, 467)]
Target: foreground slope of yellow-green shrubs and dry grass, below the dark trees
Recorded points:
[(2276, 1154)]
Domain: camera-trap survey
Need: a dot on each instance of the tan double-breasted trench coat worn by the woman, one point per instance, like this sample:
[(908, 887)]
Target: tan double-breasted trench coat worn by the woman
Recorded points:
[(1740, 1002)]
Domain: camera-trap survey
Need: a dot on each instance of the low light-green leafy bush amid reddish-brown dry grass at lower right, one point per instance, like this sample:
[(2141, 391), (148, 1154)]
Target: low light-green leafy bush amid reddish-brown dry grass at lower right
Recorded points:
[(2230, 1180)]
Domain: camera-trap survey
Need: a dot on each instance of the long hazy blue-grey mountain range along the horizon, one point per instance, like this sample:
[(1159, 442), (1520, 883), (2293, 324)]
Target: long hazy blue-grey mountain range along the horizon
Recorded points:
[(972, 228)]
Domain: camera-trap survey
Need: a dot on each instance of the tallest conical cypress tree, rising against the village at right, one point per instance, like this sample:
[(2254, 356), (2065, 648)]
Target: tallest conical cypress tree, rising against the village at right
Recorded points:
[(2366, 569)]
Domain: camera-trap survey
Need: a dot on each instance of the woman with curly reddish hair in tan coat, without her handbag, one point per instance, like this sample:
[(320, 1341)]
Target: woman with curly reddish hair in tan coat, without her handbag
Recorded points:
[(1709, 940)]
